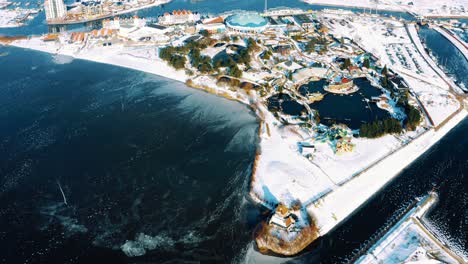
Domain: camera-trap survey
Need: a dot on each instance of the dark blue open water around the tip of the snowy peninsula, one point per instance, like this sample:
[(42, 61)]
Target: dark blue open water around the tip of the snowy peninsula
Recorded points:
[(162, 169)]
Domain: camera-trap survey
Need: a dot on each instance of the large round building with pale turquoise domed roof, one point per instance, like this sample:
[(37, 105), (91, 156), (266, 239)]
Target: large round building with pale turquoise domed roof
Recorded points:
[(248, 22)]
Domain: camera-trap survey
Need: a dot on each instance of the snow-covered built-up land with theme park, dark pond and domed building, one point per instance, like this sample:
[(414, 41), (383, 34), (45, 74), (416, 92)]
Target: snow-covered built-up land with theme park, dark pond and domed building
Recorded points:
[(345, 100)]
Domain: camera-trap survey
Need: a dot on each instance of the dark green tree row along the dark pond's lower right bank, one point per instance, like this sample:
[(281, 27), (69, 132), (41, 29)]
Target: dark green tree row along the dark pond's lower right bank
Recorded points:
[(380, 128)]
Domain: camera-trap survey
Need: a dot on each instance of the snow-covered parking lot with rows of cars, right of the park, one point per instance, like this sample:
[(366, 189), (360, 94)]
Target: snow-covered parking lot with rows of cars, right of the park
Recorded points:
[(390, 42)]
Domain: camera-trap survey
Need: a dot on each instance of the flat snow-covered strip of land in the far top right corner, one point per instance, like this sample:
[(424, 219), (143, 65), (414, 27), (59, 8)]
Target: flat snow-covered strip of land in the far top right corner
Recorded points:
[(420, 7)]
